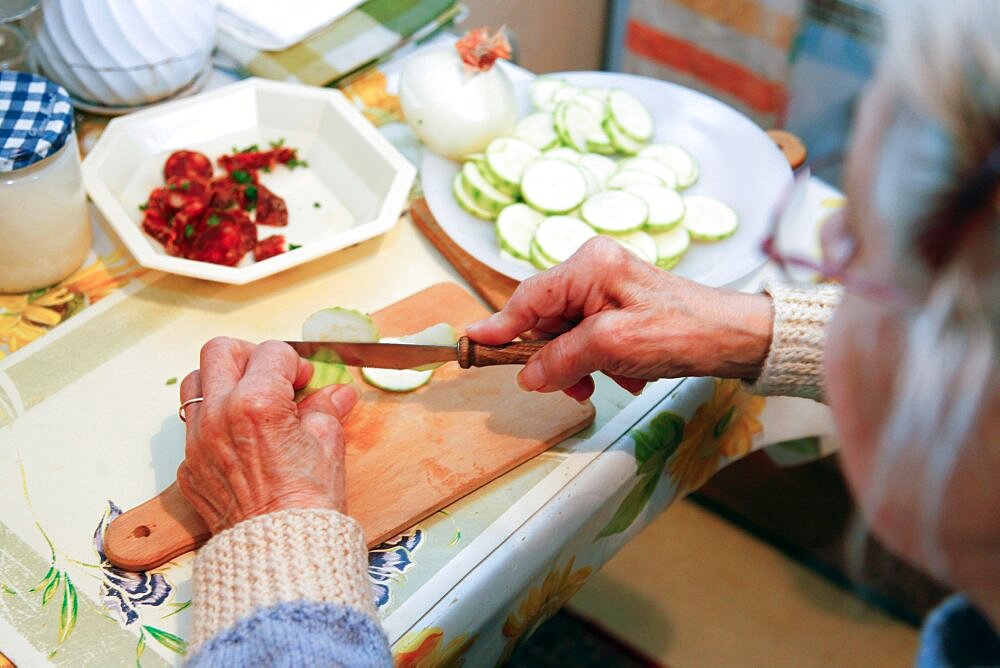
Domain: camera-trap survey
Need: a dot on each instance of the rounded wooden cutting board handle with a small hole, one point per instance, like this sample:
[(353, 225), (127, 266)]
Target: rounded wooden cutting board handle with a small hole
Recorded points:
[(155, 532)]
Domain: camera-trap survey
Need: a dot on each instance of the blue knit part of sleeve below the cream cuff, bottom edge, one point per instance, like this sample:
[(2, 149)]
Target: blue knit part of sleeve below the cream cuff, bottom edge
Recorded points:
[(298, 634)]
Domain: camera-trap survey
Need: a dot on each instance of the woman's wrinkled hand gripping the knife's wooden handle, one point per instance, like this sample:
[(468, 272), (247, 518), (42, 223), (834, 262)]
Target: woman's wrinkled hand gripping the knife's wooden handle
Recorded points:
[(610, 311)]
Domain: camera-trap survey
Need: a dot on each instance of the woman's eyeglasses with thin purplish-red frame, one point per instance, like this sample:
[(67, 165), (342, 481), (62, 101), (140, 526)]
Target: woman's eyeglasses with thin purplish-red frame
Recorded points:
[(837, 244)]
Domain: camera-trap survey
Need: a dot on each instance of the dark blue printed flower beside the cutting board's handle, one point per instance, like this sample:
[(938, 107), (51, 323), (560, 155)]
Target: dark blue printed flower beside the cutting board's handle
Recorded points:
[(123, 592)]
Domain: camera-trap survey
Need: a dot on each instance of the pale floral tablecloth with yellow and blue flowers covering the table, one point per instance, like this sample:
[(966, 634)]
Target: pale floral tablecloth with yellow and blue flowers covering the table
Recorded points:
[(88, 426)]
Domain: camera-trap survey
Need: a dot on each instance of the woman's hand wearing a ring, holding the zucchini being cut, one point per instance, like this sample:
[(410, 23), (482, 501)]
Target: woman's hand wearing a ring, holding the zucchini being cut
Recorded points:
[(250, 448)]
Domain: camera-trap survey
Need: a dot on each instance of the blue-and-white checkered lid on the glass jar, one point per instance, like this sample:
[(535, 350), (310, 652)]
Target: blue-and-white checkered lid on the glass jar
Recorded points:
[(36, 118)]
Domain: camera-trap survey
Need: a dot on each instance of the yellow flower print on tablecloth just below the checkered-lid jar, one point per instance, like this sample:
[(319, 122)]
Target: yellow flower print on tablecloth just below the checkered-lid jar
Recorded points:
[(29, 316)]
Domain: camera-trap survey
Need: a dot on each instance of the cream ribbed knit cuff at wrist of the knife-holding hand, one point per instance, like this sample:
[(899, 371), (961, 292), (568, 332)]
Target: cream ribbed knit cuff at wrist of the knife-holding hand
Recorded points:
[(794, 364)]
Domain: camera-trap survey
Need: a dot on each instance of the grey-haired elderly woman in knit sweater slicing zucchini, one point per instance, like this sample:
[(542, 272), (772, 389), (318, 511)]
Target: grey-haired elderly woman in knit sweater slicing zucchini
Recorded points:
[(908, 365)]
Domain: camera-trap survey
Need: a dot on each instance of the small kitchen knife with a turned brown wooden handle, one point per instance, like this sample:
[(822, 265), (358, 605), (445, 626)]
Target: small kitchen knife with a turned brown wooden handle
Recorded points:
[(413, 356)]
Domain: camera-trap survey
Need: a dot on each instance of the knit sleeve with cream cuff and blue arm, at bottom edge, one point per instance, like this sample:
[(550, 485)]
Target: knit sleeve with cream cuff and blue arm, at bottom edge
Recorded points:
[(286, 588)]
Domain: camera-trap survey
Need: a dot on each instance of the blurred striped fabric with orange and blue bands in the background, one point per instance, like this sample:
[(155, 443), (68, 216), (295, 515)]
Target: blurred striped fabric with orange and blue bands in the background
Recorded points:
[(798, 64)]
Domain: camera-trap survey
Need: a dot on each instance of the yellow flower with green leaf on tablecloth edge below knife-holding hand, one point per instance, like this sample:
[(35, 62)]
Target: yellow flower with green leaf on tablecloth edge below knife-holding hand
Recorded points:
[(689, 453)]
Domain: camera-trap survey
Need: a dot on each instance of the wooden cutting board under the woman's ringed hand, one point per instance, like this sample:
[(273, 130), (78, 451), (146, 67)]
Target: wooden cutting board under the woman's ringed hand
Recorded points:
[(408, 455)]
